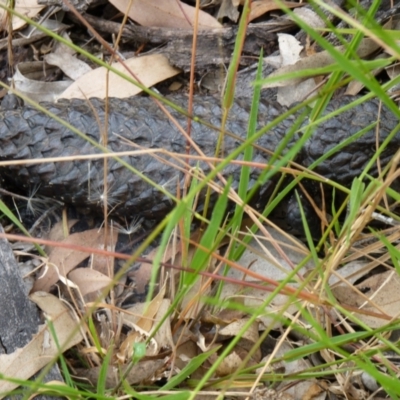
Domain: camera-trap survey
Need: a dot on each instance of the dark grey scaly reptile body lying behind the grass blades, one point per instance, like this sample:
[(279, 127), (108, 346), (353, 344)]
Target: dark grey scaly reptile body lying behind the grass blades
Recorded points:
[(28, 133)]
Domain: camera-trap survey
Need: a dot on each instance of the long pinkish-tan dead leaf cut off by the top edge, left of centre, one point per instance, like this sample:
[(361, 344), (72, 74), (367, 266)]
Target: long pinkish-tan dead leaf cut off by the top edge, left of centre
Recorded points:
[(167, 13)]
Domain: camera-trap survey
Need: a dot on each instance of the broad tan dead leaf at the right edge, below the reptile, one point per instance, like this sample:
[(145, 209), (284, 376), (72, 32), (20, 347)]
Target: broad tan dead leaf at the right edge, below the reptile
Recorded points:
[(378, 294)]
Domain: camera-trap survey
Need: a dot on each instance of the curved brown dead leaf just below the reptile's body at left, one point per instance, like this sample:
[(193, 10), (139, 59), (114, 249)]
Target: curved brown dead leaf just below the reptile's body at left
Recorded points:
[(62, 261)]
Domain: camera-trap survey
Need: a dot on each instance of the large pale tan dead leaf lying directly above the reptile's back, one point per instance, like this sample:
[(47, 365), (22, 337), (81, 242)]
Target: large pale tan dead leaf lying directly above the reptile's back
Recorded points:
[(148, 69)]
